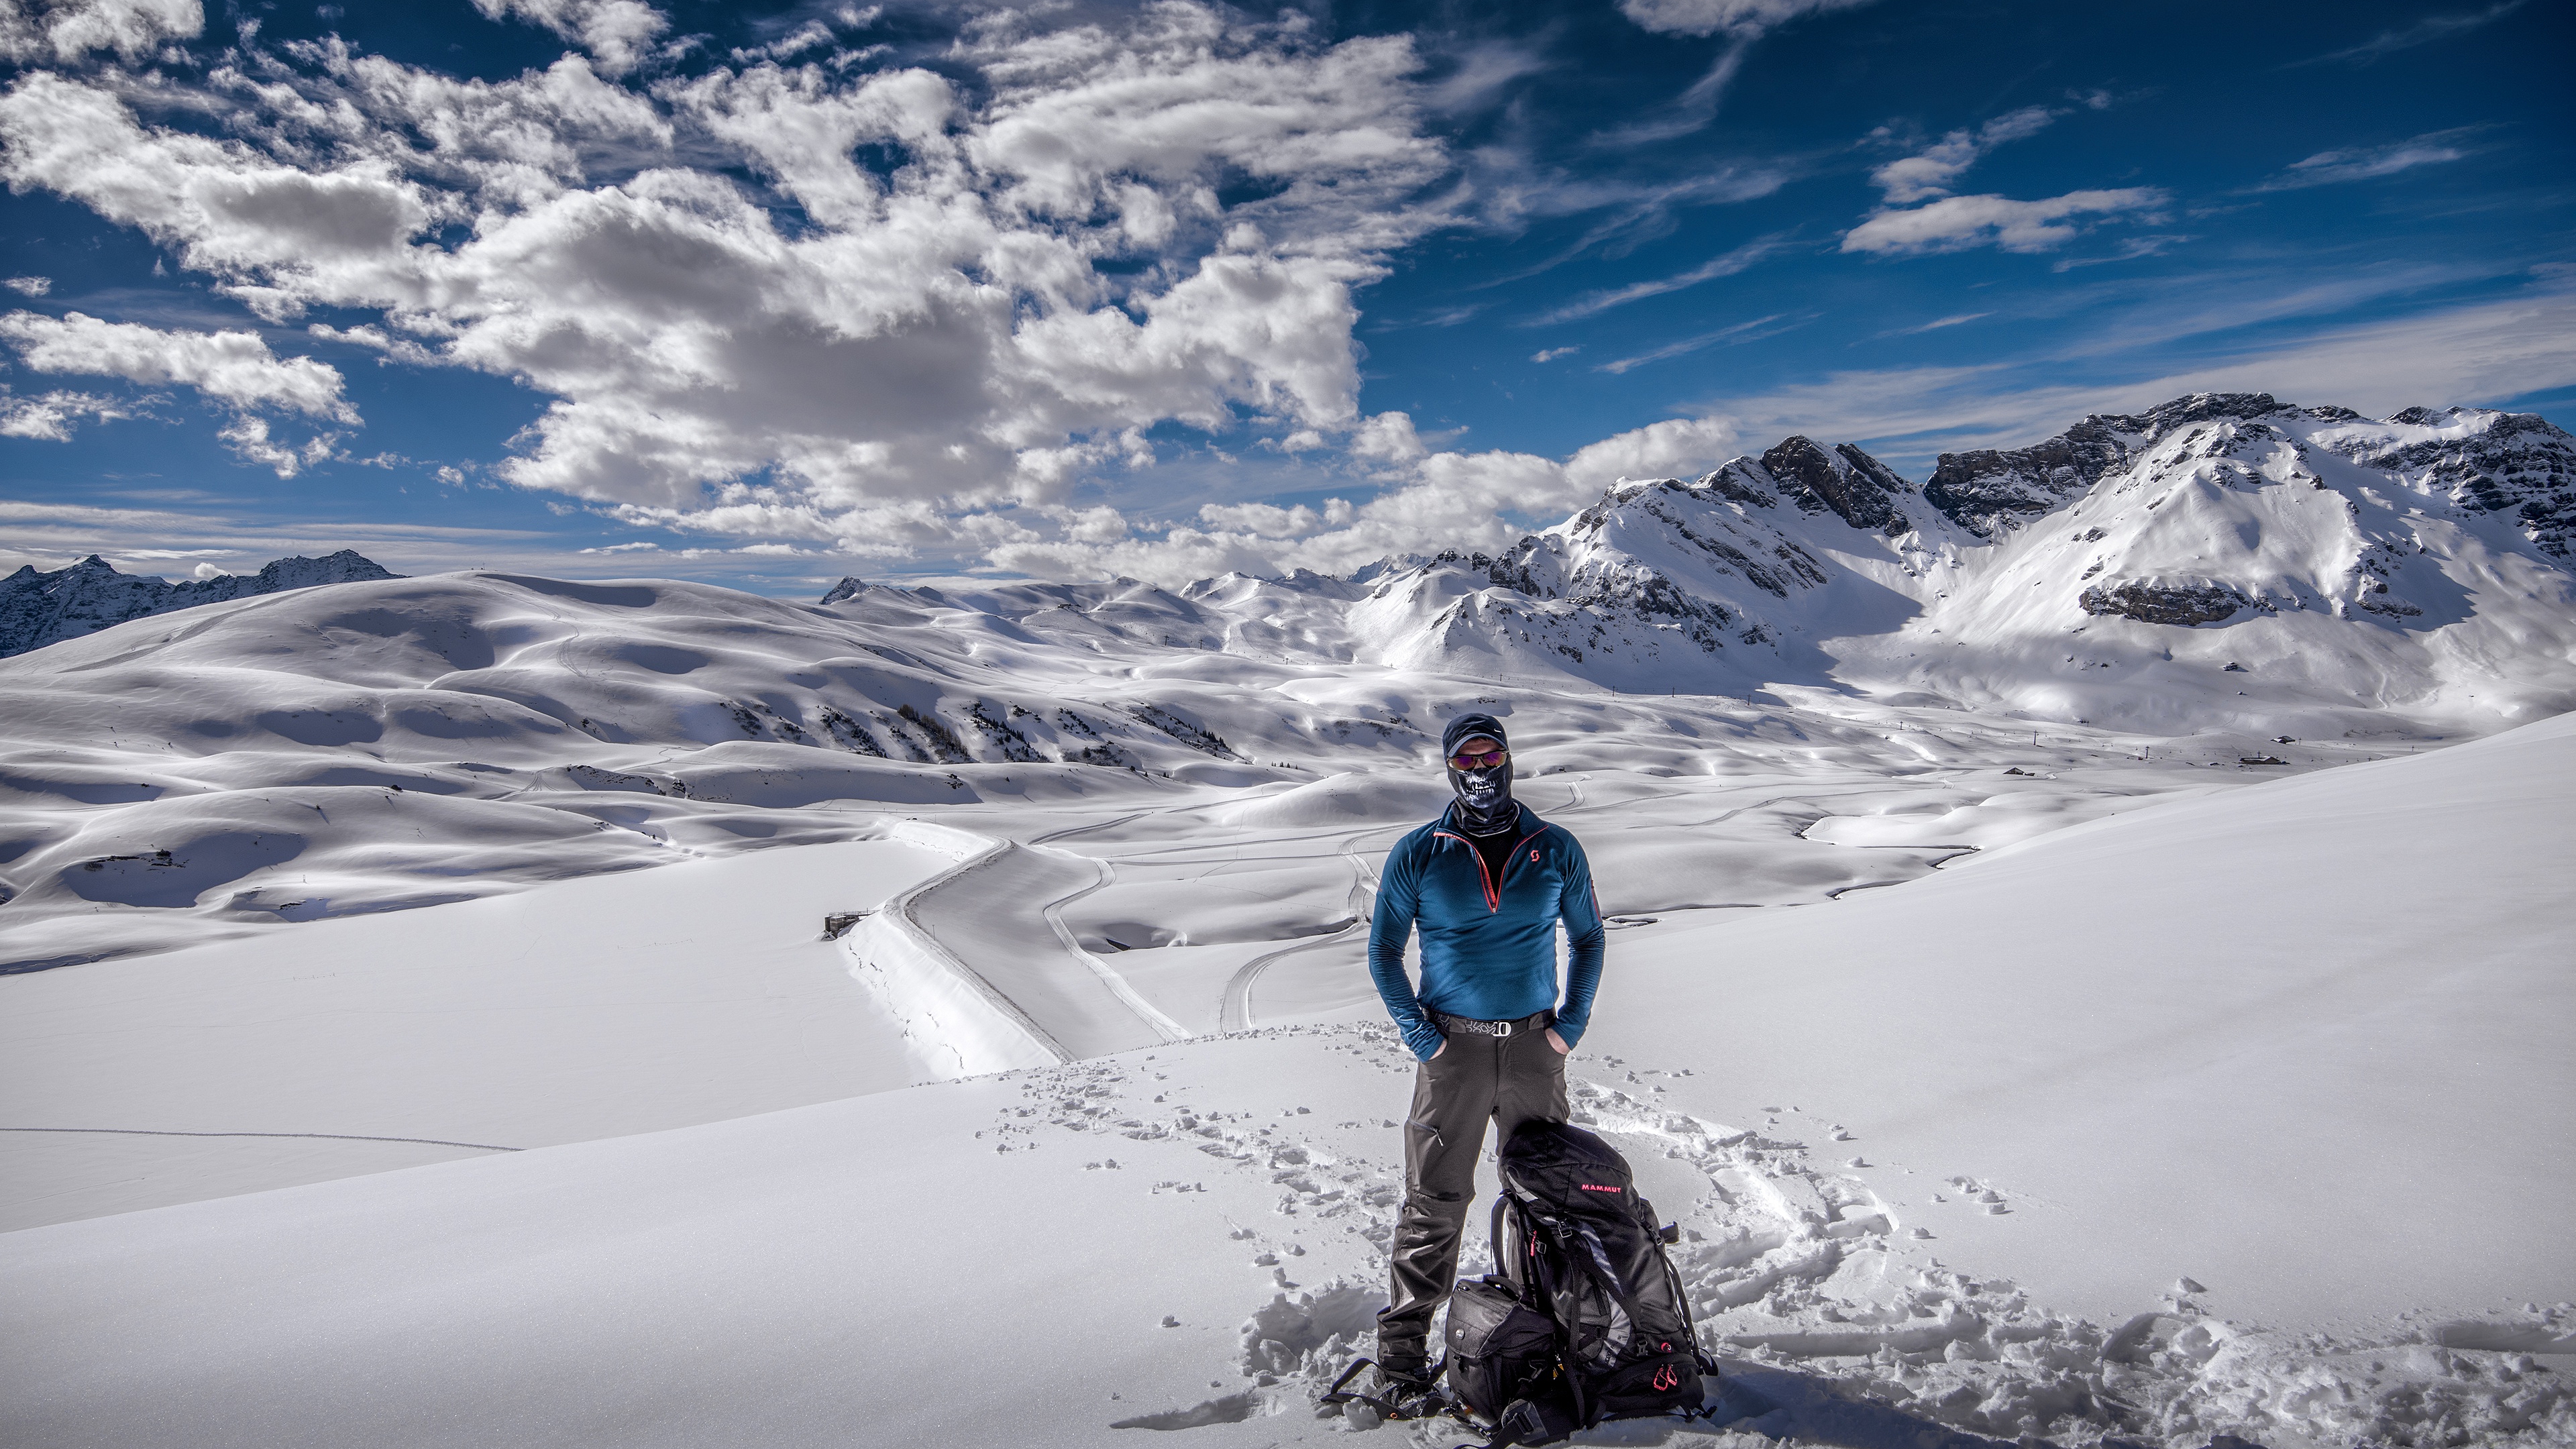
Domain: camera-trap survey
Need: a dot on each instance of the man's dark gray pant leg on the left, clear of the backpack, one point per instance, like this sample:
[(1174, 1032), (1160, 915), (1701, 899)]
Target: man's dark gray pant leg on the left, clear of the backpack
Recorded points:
[(1454, 1100)]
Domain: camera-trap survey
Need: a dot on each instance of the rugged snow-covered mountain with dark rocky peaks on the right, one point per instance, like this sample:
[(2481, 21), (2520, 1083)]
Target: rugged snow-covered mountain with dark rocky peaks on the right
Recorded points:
[(2209, 550)]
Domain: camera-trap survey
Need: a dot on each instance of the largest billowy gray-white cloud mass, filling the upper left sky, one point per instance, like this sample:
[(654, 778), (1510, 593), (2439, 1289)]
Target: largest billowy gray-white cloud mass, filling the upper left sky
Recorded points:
[(1127, 220)]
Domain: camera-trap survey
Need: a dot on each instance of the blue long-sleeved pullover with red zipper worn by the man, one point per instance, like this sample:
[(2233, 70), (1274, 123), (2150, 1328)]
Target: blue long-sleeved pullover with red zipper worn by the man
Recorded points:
[(1488, 948)]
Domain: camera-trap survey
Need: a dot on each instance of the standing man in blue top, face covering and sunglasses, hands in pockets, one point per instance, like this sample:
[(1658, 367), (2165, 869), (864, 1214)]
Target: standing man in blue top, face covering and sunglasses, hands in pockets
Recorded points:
[(1488, 886)]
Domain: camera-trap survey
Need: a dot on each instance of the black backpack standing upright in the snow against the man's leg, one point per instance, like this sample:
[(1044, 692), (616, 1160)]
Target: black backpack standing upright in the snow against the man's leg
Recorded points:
[(1588, 1319)]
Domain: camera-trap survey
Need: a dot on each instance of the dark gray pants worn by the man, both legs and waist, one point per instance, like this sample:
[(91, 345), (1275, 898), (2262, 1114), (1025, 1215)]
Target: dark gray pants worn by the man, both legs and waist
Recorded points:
[(1475, 1082)]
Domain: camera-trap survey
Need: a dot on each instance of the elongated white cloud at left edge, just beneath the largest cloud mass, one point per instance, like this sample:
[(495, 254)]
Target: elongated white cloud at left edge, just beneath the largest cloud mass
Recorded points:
[(231, 367)]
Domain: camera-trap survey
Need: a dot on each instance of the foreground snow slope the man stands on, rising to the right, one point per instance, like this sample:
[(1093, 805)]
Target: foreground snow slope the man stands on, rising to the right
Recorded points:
[(2150, 1131)]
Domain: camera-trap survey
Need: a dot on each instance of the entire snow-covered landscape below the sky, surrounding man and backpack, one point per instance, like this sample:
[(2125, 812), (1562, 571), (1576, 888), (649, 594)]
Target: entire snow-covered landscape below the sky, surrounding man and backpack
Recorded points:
[(2088, 963)]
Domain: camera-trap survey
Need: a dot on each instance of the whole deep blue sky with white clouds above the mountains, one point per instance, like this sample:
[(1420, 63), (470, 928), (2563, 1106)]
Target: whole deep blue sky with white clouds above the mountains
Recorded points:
[(764, 298)]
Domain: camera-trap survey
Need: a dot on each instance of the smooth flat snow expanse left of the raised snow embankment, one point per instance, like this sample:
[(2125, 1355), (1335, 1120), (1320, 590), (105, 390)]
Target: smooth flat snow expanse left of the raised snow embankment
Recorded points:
[(571, 1012)]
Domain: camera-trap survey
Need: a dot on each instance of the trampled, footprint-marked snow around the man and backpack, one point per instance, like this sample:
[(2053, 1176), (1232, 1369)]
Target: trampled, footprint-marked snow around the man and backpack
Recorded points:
[(1828, 1308)]
